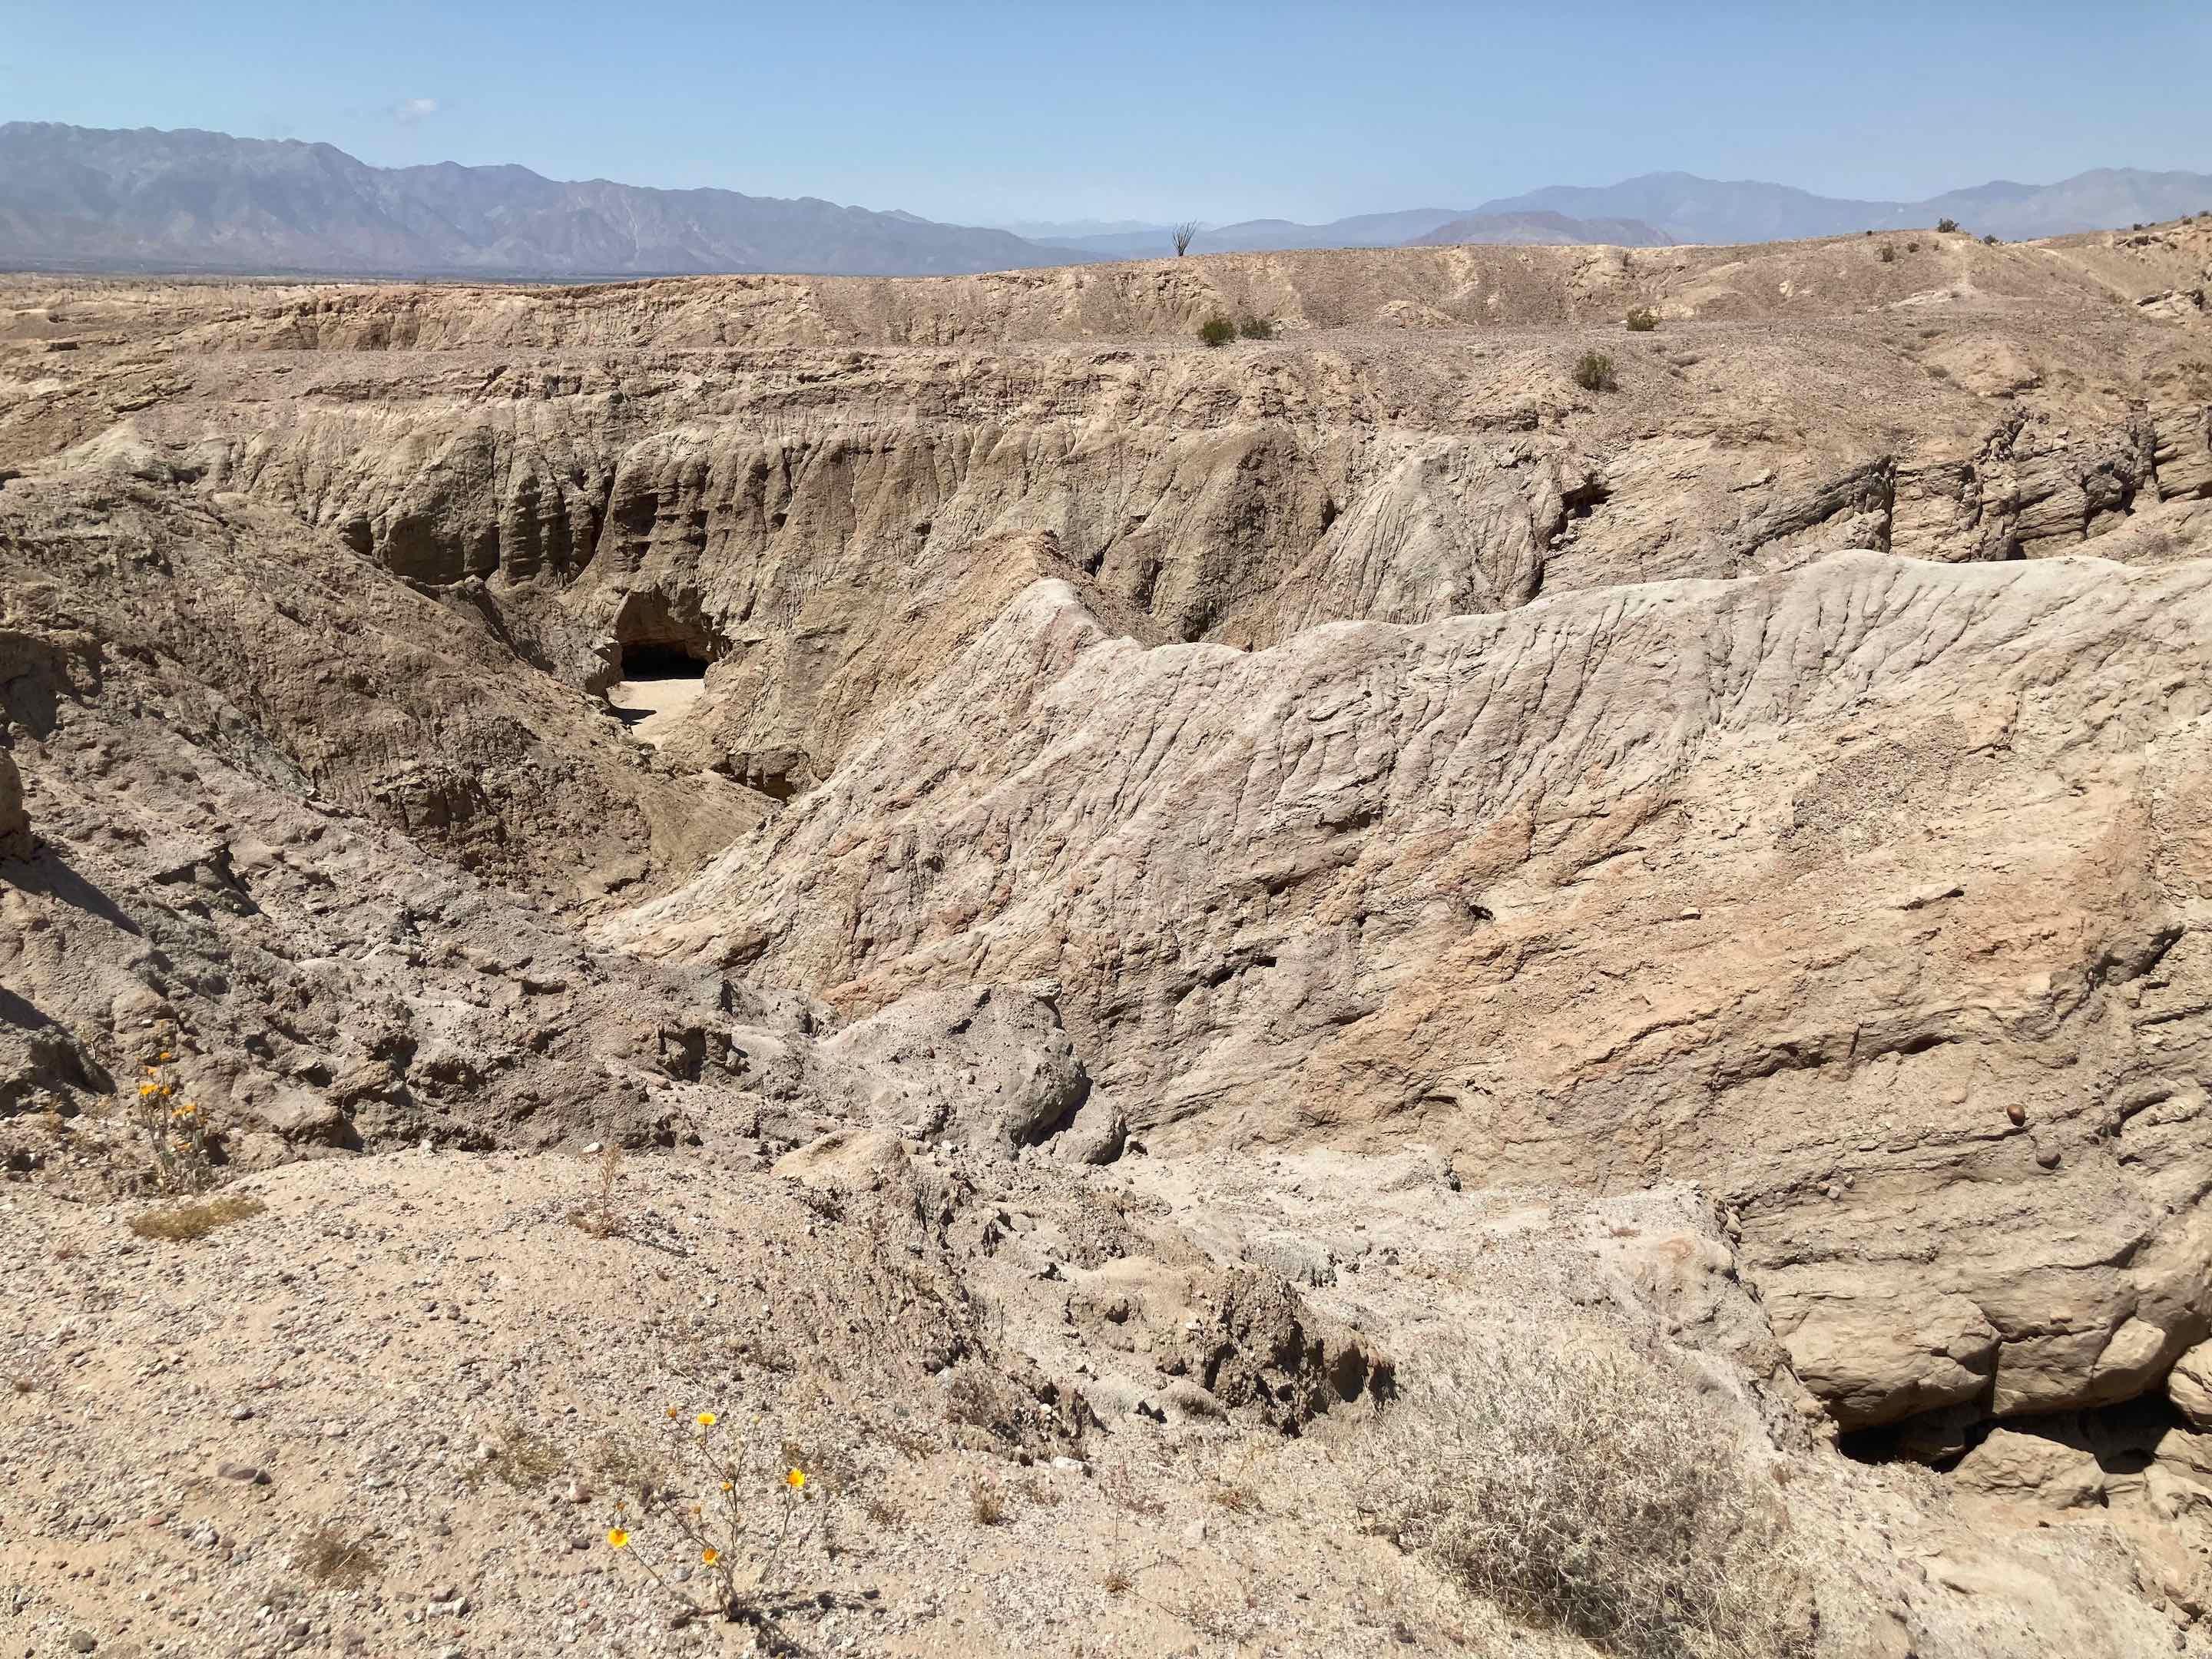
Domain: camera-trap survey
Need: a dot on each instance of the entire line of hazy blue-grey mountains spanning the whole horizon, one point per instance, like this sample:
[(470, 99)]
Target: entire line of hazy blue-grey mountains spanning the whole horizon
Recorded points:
[(76, 198)]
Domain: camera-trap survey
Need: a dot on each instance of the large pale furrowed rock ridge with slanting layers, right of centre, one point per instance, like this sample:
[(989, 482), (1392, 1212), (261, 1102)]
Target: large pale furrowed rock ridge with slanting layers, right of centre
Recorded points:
[(1364, 886)]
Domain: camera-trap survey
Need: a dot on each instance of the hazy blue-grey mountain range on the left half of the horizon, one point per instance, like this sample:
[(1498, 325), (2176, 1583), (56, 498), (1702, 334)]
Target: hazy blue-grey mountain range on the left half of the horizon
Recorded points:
[(143, 200)]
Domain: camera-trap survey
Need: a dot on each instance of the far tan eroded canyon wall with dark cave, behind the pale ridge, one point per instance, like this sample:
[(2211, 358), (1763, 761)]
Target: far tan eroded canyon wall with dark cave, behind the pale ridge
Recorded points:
[(824, 523)]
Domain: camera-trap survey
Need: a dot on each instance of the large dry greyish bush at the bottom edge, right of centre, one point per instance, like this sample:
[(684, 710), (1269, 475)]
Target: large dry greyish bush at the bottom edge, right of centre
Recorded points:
[(1594, 1492)]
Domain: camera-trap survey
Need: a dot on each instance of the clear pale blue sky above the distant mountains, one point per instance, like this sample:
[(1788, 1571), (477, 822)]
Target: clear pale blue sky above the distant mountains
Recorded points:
[(1218, 112)]
